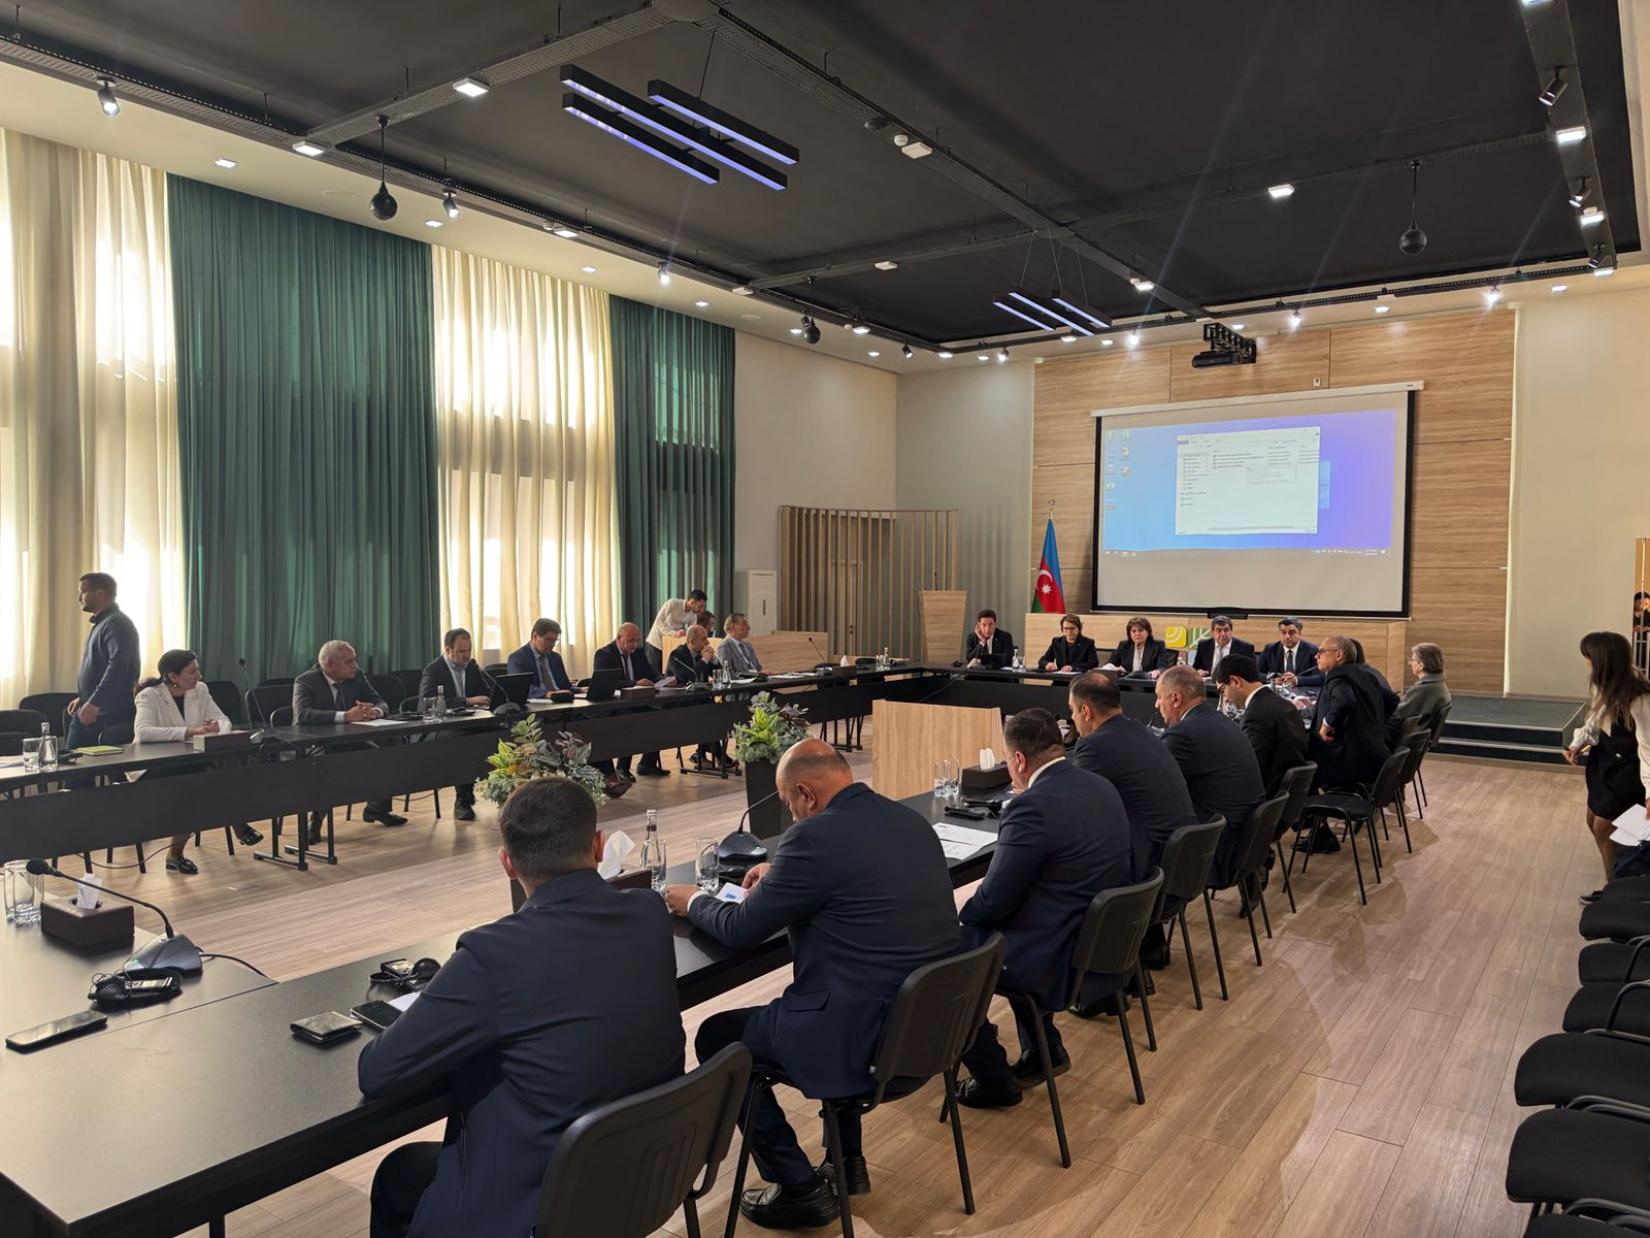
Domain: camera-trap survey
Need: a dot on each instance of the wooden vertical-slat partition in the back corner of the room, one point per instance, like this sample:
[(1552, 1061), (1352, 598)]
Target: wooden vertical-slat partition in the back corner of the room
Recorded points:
[(856, 574)]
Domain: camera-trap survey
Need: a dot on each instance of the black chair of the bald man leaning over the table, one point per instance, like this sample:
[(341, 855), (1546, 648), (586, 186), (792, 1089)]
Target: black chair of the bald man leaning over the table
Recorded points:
[(931, 1024)]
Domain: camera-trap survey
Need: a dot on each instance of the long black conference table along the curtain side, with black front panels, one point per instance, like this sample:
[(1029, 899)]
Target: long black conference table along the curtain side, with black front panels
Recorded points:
[(93, 805)]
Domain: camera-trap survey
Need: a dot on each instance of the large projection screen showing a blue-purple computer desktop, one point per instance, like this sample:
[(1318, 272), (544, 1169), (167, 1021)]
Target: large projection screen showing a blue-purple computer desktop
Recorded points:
[(1367, 478)]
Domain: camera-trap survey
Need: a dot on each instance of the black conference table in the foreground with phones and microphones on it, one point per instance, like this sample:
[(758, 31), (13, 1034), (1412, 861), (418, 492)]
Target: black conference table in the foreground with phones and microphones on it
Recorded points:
[(174, 1117)]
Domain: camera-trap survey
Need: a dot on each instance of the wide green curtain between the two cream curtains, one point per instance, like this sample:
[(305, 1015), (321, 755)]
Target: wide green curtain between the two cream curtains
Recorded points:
[(306, 407)]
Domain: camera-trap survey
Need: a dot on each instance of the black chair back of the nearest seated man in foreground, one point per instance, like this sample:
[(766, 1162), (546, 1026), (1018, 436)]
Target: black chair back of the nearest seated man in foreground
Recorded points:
[(625, 1169)]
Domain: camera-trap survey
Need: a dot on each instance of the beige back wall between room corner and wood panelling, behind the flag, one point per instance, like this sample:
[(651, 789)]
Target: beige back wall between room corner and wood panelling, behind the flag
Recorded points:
[(966, 443)]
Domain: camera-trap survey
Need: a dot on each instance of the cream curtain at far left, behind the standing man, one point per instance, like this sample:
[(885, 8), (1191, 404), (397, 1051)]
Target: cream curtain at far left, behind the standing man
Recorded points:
[(88, 409)]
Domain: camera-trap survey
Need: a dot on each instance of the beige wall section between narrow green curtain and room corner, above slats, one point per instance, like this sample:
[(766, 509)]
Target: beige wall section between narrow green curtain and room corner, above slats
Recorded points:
[(813, 432)]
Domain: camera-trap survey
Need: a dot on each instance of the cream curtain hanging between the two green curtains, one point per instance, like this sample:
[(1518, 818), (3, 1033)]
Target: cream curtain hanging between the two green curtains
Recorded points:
[(526, 438)]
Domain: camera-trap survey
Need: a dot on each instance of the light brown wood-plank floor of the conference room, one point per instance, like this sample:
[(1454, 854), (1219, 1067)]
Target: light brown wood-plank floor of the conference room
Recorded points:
[(1359, 1084)]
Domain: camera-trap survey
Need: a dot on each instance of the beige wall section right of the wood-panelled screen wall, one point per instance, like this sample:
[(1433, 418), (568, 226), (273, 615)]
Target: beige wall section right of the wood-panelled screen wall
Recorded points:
[(1582, 494)]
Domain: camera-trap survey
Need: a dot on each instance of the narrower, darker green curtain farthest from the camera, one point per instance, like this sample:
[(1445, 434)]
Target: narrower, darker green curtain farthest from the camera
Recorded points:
[(674, 438)]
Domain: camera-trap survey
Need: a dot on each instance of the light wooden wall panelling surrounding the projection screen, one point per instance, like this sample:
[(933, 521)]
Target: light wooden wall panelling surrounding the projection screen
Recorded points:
[(1463, 463)]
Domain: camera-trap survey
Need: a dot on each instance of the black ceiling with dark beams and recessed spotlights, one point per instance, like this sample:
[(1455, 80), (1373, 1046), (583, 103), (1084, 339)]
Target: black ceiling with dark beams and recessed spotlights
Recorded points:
[(1073, 144)]
